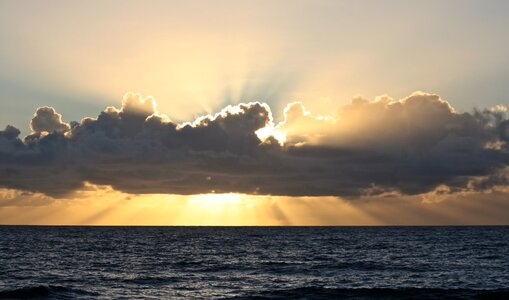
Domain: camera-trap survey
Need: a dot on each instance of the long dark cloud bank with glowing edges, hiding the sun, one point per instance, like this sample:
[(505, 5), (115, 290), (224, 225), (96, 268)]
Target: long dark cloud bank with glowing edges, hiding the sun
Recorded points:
[(381, 147)]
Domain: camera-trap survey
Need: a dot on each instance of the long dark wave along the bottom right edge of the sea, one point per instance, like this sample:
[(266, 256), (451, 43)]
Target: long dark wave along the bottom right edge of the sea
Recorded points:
[(378, 293)]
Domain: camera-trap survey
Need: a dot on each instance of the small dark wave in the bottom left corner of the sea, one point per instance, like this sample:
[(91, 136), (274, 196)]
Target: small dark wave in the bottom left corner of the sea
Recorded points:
[(43, 291)]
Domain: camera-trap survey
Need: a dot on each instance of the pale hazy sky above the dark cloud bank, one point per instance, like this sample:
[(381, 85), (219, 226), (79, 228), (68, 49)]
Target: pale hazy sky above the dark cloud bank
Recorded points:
[(194, 56)]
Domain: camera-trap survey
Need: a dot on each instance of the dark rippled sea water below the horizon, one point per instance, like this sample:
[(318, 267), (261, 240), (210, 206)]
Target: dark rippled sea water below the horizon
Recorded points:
[(254, 262)]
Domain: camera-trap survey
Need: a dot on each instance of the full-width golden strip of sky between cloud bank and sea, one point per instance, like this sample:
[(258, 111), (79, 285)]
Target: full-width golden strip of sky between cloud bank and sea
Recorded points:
[(104, 206)]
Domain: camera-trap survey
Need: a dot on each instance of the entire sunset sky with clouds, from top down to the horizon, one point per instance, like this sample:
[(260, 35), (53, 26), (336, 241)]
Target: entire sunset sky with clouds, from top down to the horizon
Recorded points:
[(254, 112)]
